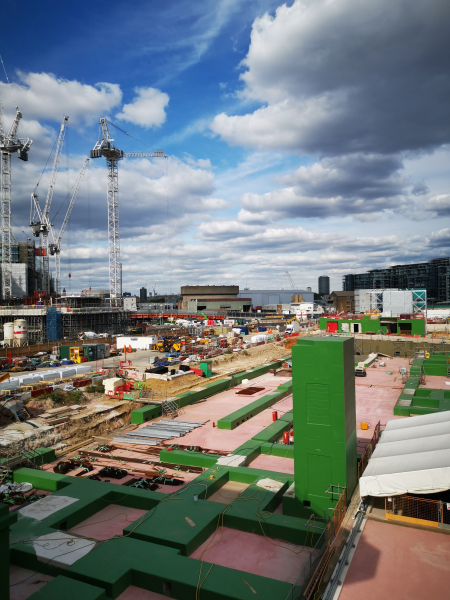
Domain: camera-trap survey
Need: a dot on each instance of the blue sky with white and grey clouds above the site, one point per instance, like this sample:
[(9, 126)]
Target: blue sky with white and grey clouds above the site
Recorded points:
[(309, 137)]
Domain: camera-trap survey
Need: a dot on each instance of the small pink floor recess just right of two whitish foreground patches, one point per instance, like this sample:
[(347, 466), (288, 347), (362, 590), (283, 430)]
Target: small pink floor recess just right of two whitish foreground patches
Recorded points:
[(108, 522)]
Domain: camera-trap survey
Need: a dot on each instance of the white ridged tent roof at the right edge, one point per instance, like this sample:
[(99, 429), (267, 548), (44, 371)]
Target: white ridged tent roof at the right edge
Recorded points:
[(411, 457)]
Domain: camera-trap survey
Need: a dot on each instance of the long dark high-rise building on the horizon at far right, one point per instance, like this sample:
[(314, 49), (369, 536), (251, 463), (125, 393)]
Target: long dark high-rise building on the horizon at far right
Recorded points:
[(434, 276)]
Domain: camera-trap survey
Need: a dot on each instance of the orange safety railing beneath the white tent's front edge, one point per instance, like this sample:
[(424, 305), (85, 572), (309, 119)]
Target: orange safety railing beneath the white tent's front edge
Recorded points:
[(421, 511)]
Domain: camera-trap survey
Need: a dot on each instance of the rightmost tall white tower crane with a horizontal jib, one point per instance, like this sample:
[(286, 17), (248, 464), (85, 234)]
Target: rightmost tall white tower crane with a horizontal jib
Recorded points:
[(104, 147)]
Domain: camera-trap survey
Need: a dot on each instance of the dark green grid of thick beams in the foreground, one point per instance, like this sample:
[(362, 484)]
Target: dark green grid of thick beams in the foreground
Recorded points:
[(154, 553)]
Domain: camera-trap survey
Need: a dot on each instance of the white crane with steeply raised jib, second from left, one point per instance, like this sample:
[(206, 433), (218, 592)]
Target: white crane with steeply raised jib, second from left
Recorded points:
[(40, 220)]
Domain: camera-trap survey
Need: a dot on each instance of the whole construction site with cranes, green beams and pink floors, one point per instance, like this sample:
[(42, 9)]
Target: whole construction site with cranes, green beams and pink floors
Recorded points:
[(226, 445)]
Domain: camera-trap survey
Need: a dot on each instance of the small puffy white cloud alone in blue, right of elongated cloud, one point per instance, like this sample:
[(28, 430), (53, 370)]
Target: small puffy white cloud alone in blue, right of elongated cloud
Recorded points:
[(147, 108)]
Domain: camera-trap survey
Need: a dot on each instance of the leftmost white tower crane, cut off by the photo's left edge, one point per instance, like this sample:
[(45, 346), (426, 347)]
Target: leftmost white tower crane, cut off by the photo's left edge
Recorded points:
[(9, 144)]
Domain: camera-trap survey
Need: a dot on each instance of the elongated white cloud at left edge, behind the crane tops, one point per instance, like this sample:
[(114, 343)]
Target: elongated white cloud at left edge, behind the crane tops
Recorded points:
[(45, 96)]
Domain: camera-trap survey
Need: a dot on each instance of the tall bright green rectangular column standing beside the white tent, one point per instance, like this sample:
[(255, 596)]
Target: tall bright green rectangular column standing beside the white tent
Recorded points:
[(323, 387)]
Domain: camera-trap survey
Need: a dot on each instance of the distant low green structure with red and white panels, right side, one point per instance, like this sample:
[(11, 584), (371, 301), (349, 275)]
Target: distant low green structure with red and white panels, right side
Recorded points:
[(374, 324)]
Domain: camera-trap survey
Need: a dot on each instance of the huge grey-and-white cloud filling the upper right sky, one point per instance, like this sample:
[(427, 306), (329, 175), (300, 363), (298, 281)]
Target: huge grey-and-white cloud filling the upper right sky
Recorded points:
[(343, 77)]
